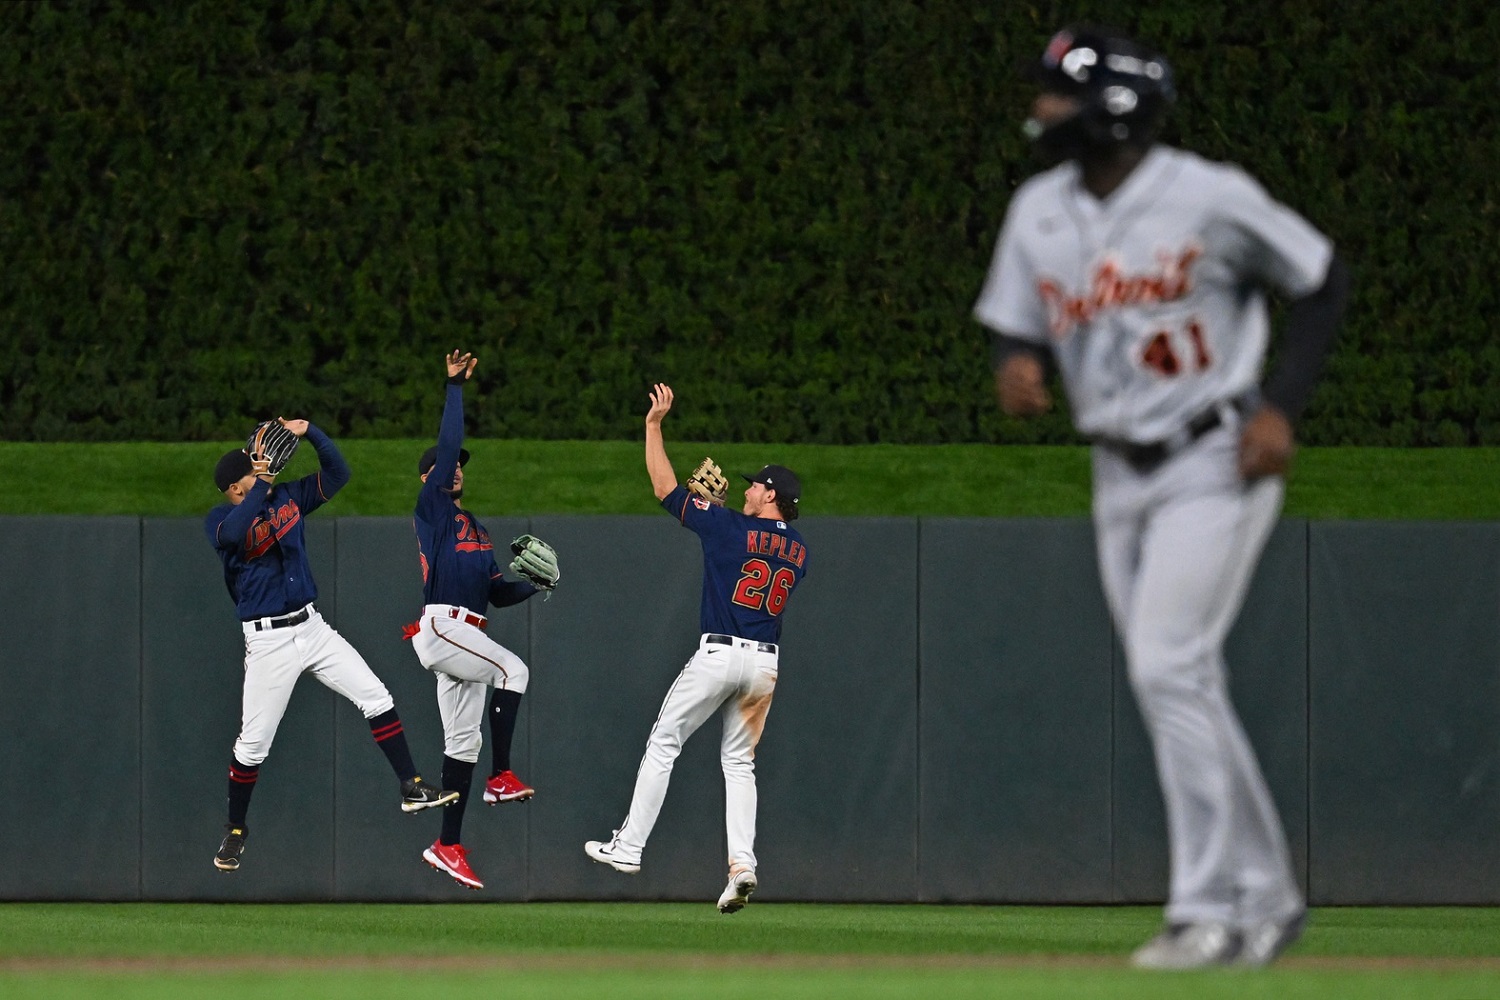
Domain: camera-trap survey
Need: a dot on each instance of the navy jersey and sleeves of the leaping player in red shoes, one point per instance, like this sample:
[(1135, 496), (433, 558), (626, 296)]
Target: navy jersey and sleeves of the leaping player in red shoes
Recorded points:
[(458, 560)]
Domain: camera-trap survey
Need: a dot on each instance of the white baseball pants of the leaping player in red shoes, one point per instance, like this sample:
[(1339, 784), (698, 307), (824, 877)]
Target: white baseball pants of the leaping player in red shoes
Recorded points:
[(466, 663)]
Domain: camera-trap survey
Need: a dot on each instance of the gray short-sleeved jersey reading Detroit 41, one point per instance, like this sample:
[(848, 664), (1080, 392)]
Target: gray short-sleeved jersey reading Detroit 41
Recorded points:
[(1151, 301)]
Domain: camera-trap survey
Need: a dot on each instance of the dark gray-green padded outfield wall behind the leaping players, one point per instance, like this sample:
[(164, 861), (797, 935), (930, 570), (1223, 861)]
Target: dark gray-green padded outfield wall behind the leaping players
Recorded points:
[(952, 722)]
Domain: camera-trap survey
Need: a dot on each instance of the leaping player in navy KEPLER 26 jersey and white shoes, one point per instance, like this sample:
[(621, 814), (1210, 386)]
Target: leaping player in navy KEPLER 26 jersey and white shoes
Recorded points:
[(752, 563)]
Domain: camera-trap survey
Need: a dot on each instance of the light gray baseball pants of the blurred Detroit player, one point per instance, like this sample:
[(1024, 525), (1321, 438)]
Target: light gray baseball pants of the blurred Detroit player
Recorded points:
[(1177, 552)]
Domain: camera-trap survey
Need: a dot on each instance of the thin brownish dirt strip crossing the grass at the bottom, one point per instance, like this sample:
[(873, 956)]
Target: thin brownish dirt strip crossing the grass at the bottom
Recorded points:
[(604, 962)]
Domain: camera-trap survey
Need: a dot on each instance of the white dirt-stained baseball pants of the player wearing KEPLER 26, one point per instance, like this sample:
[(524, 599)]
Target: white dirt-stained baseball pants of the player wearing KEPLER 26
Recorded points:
[(736, 678)]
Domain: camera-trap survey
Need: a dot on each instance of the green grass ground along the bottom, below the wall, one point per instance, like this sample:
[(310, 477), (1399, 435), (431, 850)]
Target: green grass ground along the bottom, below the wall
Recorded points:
[(673, 950)]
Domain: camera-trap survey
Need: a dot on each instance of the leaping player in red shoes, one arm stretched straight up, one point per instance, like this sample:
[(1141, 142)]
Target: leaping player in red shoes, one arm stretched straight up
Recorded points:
[(460, 581)]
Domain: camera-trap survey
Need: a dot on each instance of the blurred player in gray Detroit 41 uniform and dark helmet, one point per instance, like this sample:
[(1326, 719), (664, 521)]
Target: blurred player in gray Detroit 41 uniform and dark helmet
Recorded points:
[(1141, 274)]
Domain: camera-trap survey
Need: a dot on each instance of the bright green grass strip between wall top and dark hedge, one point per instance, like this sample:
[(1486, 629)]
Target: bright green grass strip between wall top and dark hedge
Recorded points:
[(608, 478)]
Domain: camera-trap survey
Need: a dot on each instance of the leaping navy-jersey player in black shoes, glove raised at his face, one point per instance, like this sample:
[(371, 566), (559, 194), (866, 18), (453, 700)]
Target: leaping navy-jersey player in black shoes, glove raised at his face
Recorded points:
[(259, 536)]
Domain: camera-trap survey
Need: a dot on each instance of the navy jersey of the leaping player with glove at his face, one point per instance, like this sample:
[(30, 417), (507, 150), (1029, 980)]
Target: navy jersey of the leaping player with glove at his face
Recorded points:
[(262, 539)]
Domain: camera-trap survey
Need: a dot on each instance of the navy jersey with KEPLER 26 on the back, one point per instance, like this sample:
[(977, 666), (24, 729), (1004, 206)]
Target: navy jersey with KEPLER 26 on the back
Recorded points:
[(751, 566)]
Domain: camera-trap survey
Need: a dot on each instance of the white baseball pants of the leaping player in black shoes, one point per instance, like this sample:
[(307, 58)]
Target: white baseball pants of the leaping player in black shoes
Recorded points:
[(277, 657)]
